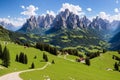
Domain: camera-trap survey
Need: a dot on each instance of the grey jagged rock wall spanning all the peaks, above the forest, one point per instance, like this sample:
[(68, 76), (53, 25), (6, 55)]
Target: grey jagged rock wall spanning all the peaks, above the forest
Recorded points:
[(64, 20)]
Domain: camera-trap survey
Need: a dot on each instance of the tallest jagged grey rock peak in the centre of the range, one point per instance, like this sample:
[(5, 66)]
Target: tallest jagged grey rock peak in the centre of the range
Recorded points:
[(66, 19)]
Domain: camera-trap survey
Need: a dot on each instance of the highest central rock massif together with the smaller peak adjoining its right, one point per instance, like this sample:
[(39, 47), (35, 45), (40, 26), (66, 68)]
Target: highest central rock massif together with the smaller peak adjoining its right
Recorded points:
[(67, 19)]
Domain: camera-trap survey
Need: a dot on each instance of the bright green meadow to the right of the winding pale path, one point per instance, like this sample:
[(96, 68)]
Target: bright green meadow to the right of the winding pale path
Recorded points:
[(66, 70)]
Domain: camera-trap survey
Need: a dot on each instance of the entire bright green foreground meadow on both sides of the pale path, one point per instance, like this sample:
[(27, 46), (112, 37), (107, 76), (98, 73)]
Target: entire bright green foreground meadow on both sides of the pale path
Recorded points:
[(62, 69)]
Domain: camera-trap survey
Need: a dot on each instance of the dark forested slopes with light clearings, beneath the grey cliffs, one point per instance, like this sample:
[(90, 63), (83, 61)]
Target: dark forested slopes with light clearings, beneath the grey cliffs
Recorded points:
[(61, 38)]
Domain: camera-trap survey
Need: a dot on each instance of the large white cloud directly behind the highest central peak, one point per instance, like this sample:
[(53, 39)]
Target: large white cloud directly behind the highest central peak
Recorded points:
[(76, 9)]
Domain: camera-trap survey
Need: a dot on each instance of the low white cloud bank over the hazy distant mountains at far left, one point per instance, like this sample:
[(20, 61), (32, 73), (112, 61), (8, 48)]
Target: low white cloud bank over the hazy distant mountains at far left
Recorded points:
[(17, 22)]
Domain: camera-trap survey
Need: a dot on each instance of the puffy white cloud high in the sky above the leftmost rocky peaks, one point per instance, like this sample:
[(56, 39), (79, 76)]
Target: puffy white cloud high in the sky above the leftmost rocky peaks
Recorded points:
[(30, 10)]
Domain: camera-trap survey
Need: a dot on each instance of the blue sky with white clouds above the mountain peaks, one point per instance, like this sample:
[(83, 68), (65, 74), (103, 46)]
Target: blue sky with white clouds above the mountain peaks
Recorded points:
[(17, 11)]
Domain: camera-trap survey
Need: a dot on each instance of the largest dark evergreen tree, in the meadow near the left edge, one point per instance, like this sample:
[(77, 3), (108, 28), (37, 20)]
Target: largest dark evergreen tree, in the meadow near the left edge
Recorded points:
[(6, 57)]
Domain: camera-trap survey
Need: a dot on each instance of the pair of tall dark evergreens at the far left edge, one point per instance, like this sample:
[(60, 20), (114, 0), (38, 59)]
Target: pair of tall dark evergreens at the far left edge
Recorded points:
[(5, 56)]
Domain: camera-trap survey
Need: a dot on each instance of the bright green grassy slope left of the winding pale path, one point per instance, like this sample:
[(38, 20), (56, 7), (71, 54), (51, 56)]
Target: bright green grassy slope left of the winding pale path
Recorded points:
[(16, 49)]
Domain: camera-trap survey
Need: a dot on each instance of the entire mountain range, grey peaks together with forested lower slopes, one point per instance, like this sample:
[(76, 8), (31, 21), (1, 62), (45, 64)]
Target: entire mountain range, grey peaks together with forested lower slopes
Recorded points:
[(68, 29)]
